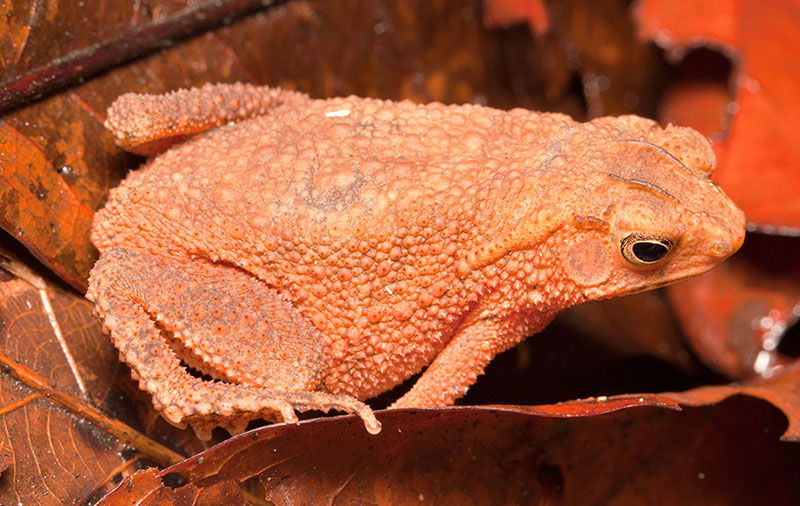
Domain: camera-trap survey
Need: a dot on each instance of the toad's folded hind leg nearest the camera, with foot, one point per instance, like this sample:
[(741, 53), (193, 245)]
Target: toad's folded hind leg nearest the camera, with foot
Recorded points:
[(164, 314)]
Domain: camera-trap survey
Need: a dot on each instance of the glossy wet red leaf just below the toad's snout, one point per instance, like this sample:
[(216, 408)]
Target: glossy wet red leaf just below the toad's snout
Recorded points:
[(736, 315)]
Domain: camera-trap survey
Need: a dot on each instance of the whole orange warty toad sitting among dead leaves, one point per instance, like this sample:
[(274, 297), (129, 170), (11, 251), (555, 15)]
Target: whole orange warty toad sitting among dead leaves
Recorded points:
[(324, 251)]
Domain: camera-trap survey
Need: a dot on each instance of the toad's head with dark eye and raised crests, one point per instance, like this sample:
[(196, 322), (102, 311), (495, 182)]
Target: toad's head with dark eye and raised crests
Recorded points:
[(648, 214)]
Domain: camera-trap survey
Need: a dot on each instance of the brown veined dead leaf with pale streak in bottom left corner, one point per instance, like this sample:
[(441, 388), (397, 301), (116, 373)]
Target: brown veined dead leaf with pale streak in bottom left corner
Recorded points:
[(62, 400)]
